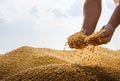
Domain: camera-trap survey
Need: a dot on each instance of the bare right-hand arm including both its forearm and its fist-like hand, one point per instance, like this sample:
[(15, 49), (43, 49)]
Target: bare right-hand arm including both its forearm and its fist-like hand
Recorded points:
[(109, 29)]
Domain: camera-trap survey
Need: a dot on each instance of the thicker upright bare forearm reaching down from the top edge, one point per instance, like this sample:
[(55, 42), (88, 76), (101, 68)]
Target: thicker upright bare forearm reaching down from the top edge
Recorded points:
[(92, 11)]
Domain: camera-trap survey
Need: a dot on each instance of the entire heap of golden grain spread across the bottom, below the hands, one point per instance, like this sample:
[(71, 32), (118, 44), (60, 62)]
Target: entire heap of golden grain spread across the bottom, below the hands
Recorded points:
[(43, 64)]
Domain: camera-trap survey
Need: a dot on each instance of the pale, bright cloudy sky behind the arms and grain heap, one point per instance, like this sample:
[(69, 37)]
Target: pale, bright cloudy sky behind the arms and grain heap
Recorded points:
[(46, 23)]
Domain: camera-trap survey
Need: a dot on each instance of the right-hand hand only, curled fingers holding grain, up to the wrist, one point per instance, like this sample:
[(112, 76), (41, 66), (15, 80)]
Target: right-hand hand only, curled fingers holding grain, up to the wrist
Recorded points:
[(106, 33)]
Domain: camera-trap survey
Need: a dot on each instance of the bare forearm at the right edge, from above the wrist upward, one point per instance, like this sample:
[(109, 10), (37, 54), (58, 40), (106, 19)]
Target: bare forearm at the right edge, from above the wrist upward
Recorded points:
[(115, 18)]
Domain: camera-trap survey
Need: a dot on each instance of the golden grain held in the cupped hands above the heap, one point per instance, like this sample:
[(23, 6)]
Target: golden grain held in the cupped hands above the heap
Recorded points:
[(80, 40)]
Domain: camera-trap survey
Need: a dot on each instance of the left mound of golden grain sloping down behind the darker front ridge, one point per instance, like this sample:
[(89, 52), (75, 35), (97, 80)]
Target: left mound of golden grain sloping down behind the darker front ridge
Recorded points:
[(23, 58)]
